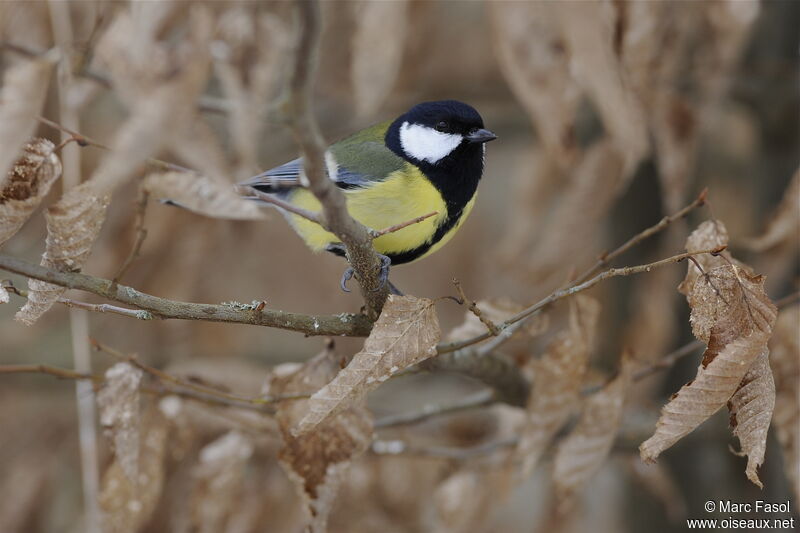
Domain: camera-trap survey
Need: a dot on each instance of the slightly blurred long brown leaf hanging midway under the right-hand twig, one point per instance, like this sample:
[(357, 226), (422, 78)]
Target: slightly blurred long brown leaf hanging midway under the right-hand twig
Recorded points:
[(558, 376)]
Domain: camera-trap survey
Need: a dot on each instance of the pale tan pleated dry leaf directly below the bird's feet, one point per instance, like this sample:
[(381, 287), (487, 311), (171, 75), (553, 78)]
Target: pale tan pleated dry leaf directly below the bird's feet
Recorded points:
[(405, 334)]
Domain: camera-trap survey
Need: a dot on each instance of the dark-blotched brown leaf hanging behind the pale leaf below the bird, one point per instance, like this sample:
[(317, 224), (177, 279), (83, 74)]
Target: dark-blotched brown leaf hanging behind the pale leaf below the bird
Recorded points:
[(316, 462)]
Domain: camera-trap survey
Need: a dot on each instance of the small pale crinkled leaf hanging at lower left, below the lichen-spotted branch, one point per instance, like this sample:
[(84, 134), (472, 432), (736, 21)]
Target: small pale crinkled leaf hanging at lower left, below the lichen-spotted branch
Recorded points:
[(118, 401)]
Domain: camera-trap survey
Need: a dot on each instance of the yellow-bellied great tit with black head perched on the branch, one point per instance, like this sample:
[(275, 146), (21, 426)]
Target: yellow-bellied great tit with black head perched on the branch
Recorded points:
[(429, 159)]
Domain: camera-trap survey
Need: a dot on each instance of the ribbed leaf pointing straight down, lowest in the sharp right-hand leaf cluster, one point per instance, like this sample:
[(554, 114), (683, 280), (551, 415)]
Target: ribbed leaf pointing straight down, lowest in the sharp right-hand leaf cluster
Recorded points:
[(751, 409)]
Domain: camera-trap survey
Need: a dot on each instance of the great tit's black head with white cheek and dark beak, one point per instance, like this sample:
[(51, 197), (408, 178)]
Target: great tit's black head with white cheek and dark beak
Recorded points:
[(438, 134)]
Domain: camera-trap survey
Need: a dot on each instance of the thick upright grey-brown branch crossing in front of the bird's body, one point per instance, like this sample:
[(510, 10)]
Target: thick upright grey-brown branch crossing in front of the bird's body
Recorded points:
[(305, 129)]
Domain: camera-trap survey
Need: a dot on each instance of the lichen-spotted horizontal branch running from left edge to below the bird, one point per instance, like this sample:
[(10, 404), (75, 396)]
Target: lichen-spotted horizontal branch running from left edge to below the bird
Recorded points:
[(153, 307)]
